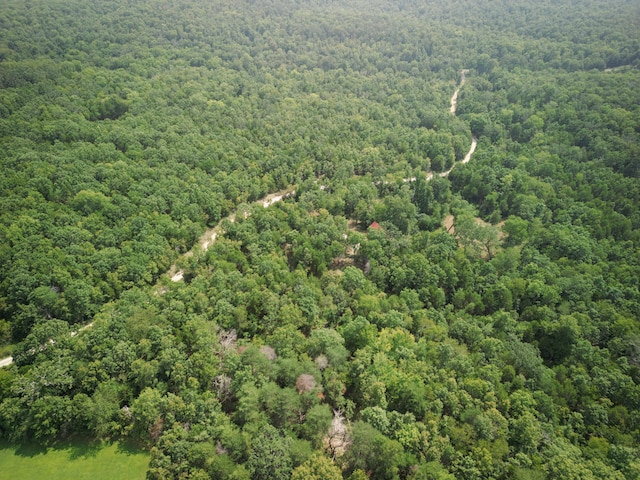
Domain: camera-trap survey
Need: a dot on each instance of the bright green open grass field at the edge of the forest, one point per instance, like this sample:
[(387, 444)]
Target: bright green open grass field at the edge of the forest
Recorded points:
[(77, 460)]
